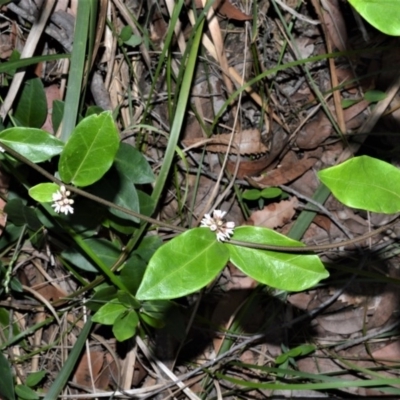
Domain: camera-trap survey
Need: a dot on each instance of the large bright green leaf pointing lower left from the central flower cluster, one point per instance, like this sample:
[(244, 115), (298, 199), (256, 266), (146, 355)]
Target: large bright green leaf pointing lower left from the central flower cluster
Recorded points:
[(185, 264)]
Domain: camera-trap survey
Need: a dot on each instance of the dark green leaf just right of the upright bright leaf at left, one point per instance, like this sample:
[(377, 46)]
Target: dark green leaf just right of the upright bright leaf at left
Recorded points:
[(131, 163)]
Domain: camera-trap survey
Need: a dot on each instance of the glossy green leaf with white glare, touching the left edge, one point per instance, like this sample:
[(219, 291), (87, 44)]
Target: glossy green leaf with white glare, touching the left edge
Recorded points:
[(34, 144)]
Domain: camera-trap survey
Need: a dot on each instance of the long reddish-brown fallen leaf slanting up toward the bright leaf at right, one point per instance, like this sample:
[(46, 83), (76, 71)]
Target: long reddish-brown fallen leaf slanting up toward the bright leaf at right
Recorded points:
[(287, 172)]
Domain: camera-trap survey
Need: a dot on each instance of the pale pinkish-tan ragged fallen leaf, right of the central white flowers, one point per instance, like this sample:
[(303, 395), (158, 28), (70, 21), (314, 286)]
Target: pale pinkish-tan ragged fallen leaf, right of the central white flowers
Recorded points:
[(275, 215)]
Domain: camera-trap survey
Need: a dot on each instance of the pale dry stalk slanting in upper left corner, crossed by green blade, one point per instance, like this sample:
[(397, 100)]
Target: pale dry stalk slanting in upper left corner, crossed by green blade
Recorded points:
[(28, 51)]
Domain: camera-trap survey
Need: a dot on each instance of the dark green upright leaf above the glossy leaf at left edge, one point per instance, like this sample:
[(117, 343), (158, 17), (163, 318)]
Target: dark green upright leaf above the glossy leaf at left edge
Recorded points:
[(31, 106)]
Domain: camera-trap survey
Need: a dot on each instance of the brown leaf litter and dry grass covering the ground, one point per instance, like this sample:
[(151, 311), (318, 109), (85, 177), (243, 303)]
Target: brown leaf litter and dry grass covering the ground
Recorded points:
[(279, 131)]
